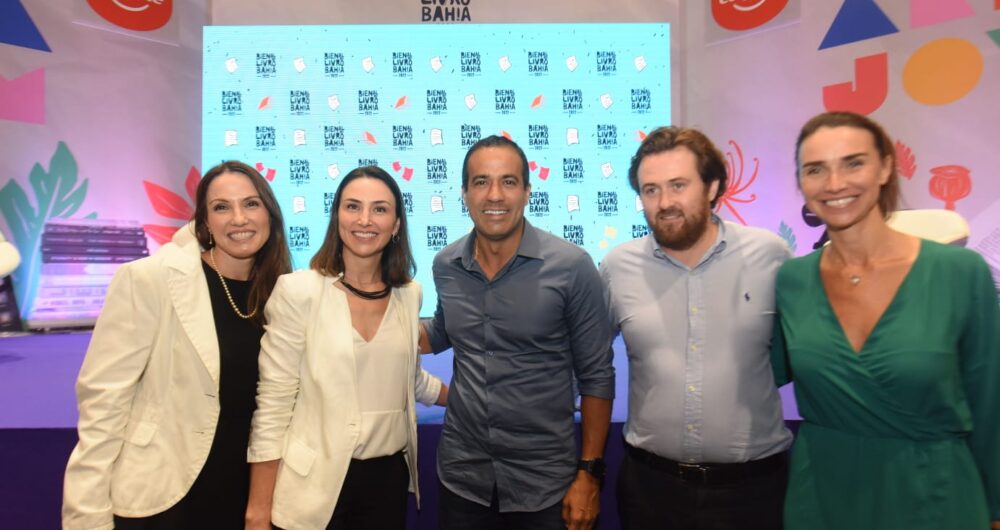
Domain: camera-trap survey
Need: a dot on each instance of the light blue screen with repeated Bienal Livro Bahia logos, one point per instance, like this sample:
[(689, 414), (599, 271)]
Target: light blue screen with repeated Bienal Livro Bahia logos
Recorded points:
[(306, 104)]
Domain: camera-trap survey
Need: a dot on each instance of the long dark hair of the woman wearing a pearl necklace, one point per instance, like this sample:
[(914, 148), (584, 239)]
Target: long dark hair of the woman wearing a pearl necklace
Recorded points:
[(273, 259)]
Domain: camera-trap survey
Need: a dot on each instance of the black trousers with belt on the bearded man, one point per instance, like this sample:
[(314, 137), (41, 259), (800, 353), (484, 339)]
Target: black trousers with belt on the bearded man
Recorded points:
[(649, 498)]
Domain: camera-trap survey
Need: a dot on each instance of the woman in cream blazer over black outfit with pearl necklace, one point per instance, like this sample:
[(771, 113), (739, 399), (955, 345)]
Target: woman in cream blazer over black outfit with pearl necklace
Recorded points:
[(166, 391)]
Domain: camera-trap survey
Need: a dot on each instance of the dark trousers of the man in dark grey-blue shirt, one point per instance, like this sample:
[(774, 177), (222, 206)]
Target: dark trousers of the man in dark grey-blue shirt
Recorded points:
[(458, 513)]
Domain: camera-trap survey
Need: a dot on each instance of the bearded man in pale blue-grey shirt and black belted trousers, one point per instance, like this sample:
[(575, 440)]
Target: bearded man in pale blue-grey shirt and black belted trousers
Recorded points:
[(705, 438)]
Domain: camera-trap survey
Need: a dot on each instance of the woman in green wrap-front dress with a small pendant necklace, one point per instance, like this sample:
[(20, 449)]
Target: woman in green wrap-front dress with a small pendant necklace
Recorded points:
[(894, 345)]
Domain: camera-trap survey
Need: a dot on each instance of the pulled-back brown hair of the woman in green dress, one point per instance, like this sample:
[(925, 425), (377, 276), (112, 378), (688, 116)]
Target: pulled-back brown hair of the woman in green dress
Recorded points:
[(888, 195)]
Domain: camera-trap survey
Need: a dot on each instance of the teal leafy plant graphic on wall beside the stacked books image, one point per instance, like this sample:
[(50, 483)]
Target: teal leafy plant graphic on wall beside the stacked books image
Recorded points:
[(58, 193)]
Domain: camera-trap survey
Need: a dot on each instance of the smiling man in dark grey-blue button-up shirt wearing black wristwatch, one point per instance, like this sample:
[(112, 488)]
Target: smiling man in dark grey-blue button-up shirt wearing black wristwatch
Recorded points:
[(524, 312)]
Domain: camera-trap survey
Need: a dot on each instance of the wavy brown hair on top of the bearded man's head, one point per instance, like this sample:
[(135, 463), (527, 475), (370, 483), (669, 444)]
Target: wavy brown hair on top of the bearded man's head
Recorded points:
[(710, 163)]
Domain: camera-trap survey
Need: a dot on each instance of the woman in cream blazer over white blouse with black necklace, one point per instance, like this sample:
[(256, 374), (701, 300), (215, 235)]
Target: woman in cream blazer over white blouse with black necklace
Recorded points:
[(333, 443)]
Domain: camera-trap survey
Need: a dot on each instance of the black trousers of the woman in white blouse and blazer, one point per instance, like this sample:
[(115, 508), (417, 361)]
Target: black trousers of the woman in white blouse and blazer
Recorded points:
[(373, 496)]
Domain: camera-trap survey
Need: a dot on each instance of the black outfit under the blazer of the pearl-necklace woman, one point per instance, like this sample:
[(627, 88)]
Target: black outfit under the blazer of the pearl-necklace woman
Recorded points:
[(218, 497)]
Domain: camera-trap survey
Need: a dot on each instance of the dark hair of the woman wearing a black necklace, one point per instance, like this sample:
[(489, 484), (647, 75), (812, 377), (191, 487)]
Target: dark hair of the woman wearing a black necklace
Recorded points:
[(397, 262)]
